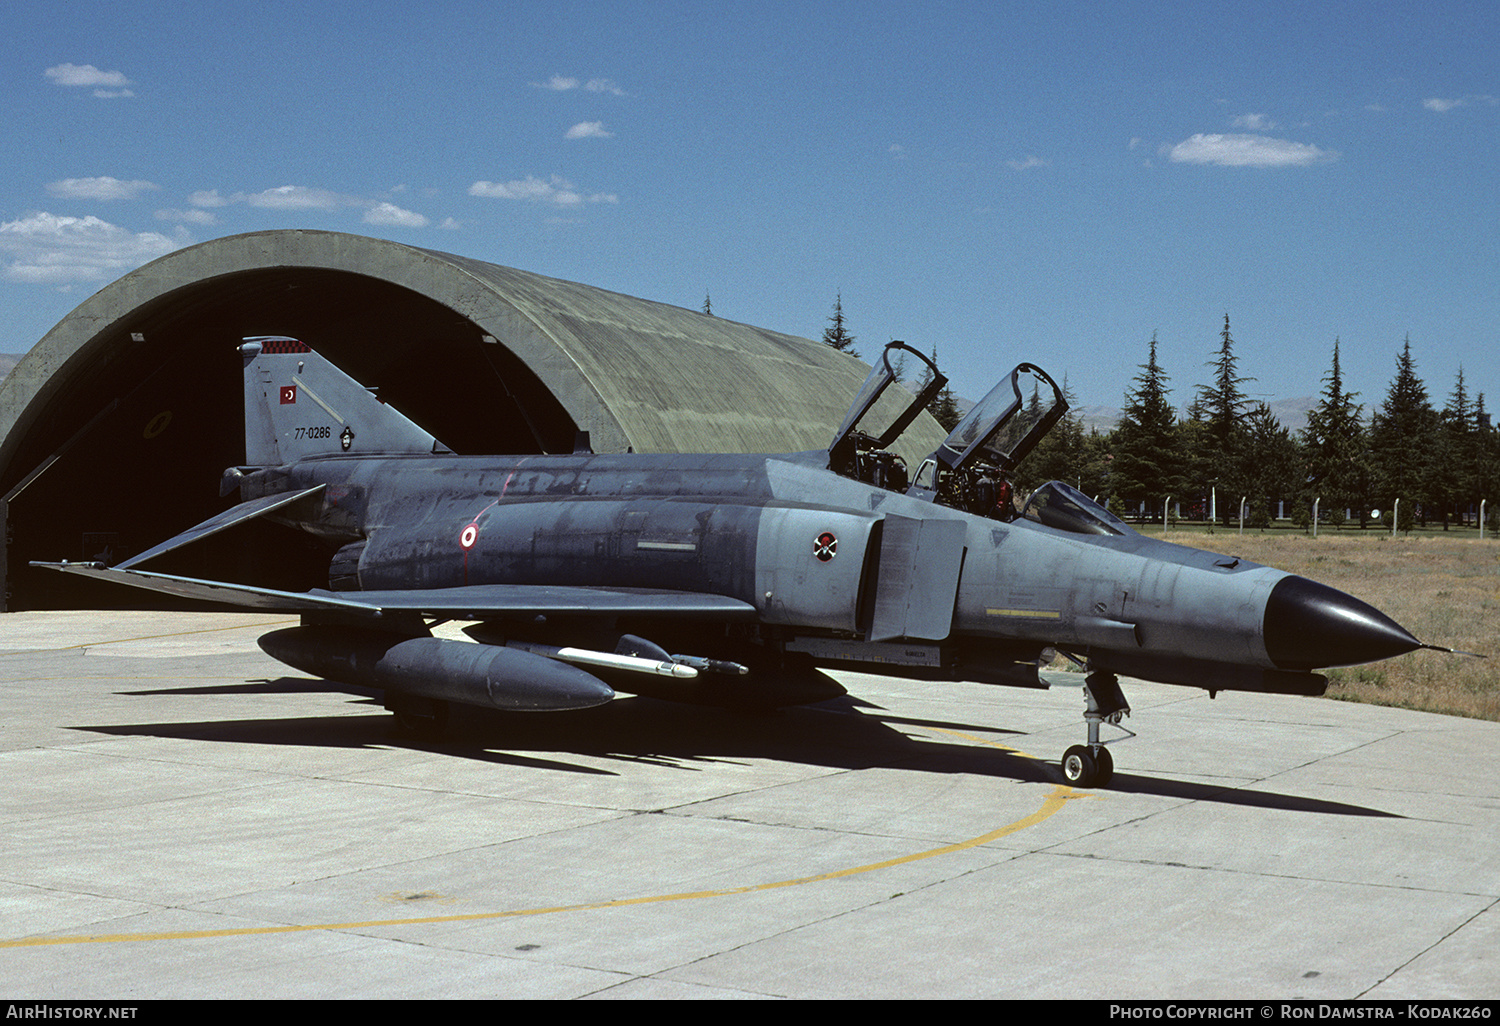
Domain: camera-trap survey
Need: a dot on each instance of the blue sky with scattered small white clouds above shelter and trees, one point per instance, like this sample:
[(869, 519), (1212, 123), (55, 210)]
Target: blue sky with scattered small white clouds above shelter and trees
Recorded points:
[(1046, 182)]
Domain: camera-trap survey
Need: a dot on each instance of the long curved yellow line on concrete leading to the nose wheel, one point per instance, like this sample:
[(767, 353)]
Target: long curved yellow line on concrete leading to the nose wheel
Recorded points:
[(1052, 805)]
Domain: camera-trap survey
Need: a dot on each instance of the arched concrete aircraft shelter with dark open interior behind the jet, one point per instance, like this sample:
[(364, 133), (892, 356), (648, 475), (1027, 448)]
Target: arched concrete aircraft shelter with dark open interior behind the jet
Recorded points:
[(116, 427)]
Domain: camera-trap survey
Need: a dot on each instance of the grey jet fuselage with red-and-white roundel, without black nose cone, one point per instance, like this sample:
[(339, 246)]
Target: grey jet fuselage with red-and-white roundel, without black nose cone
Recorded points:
[(866, 575)]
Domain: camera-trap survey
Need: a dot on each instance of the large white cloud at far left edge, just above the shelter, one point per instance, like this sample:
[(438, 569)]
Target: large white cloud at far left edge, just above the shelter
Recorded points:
[(47, 250)]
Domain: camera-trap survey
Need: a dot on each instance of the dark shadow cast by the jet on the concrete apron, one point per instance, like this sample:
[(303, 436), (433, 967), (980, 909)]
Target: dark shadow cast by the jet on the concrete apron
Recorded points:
[(847, 734)]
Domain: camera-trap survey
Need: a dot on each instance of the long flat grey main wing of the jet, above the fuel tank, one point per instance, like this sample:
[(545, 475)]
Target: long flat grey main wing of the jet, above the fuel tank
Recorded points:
[(473, 602)]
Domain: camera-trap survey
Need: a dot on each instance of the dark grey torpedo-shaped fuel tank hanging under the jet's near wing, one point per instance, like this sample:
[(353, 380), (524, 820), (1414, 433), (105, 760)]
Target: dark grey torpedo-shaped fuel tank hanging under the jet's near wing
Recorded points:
[(436, 668)]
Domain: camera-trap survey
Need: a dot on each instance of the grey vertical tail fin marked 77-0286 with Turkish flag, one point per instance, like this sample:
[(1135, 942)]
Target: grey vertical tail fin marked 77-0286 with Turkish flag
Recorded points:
[(298, 406)]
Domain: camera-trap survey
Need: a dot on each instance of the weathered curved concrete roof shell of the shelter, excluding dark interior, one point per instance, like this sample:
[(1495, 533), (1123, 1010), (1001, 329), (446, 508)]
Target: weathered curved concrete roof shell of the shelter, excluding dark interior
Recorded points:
[(631, 371)]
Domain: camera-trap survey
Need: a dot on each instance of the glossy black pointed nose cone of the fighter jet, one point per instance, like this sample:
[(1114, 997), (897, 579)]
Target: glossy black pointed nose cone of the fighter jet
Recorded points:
[(1309, 626)]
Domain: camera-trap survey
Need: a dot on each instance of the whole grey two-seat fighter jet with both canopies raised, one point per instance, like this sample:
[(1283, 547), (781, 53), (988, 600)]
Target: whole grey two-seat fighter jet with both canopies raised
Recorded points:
[(737, 578)]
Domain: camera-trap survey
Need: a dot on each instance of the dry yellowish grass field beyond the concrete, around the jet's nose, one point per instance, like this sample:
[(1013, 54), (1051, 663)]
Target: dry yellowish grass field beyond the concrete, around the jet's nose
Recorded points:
[(1445, 590)]
